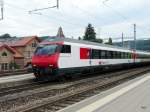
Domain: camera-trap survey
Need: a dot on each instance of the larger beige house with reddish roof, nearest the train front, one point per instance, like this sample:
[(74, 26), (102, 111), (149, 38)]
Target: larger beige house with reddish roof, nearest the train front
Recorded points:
[(25, 47)]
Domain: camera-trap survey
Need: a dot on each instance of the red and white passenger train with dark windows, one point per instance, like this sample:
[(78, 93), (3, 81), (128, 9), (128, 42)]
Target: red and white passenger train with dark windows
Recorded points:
[(62, 56)]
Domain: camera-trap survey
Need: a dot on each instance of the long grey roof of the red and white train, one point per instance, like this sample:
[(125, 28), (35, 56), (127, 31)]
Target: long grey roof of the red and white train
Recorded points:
[(55, 39)]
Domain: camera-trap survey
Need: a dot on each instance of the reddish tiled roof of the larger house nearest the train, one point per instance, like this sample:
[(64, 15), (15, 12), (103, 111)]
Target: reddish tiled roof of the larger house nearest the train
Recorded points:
[(24, 41)]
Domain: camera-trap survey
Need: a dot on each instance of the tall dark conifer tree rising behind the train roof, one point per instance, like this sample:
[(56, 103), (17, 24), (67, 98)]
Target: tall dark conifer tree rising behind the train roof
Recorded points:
[(89, 33)]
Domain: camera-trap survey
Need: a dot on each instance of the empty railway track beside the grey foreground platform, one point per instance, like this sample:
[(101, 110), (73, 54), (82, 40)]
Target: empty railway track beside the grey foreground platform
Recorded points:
[(55, 99)]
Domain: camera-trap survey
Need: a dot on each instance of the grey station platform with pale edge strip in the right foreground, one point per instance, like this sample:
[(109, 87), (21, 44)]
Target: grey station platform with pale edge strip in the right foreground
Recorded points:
[(132, 96)]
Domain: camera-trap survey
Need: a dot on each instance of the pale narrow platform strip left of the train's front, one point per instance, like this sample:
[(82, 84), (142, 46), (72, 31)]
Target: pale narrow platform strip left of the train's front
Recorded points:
[(14, 78)]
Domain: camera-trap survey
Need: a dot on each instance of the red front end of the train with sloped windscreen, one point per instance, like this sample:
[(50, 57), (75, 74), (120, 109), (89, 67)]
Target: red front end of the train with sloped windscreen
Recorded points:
[(45, 61)]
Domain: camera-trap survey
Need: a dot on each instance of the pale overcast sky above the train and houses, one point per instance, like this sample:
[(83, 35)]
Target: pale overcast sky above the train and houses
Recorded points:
[(110, 17)]
